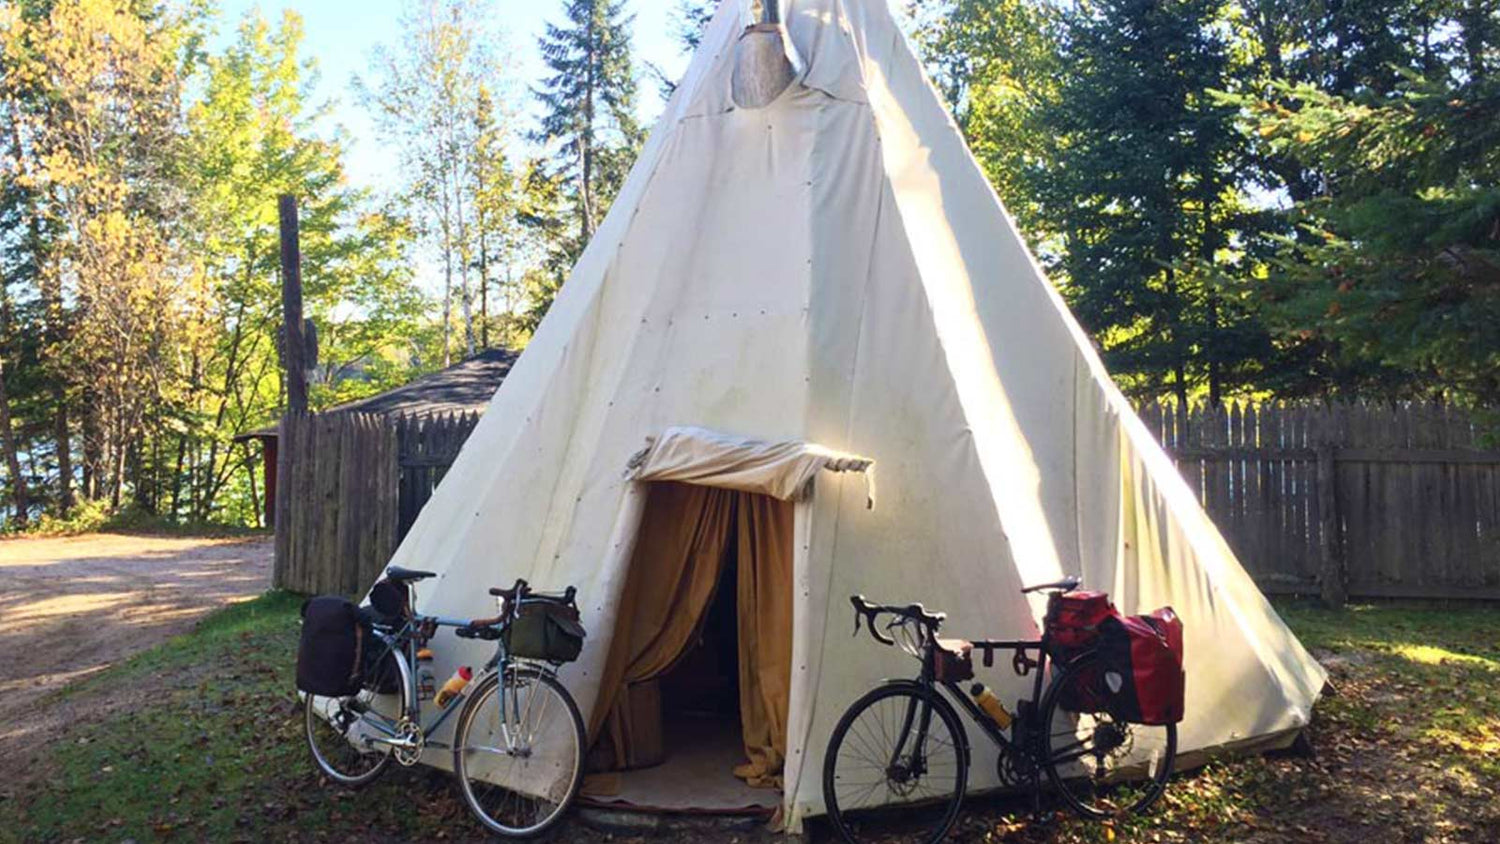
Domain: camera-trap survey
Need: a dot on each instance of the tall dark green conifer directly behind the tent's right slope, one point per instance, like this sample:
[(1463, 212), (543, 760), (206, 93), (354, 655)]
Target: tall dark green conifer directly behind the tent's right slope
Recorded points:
[(1142, 191)]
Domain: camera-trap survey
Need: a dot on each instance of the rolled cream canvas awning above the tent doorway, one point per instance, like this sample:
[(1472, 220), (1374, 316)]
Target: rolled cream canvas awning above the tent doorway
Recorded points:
[(784, 470)]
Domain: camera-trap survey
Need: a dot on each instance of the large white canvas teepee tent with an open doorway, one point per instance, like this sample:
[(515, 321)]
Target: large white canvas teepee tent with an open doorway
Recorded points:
[(820, 284)]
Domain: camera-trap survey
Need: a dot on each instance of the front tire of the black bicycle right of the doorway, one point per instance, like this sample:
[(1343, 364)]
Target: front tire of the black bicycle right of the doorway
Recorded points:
[(847, 819)]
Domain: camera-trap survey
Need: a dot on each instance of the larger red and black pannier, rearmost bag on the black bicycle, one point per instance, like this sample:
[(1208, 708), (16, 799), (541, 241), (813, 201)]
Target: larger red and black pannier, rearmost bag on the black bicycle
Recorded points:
[(1142, 662)]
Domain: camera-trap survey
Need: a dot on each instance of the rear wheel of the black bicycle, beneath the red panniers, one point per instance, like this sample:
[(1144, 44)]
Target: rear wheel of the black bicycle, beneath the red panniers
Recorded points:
[(1100, 765)]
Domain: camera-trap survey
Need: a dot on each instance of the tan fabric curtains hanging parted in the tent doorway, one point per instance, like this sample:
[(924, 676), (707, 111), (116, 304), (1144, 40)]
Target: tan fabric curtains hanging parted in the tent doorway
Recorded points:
[(685, 537)]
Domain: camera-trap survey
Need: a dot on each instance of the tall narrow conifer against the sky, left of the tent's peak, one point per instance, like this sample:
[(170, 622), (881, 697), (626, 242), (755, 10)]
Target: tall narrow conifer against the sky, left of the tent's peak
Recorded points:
[(590, 101)]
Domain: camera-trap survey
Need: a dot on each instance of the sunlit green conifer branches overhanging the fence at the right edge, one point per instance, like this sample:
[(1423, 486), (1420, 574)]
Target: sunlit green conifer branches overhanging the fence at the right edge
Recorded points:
[(1397, 260)]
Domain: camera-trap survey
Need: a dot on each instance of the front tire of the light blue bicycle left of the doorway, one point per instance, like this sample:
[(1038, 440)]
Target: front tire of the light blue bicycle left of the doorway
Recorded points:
[(461, 741)]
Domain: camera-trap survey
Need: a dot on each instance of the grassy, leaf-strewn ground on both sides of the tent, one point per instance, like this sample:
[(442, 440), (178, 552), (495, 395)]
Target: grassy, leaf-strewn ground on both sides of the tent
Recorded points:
[(1406, 750)]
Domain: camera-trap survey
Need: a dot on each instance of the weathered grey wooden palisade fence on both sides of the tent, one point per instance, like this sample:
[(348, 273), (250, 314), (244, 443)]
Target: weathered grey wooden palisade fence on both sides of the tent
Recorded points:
[(1327, 500)]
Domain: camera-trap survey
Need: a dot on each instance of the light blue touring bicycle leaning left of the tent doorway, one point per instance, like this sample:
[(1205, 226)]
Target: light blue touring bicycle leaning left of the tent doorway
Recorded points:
[(518, 770)]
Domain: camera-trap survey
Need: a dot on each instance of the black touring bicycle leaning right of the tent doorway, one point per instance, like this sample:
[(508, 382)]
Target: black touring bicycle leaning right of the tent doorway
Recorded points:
[(902, 747)]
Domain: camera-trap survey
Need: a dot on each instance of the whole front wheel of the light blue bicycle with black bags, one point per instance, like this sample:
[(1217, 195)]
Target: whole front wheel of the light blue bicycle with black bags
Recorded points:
[(518, 752)]
